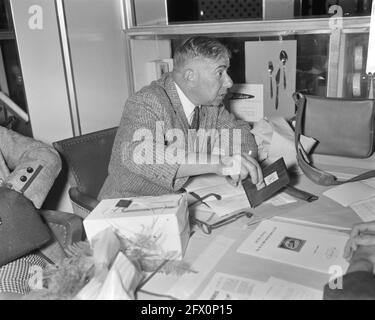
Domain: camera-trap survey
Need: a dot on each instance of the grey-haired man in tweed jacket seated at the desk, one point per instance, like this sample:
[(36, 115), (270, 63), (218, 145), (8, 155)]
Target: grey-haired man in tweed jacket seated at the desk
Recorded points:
[(154, 151)]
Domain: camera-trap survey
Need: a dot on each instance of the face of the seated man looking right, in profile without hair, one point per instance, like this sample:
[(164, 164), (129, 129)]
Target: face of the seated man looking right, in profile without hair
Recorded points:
[(212, 81)]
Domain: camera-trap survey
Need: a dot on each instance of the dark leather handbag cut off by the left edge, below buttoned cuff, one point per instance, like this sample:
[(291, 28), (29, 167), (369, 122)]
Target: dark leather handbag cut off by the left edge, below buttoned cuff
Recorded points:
[(22, 229)]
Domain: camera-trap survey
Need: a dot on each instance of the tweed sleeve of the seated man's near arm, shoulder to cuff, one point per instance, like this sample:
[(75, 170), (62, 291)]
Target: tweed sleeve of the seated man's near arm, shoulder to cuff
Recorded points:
[(141, 145)]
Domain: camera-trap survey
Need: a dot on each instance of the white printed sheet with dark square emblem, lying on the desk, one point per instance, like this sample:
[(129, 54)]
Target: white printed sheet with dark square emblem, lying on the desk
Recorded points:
[(307, 247)]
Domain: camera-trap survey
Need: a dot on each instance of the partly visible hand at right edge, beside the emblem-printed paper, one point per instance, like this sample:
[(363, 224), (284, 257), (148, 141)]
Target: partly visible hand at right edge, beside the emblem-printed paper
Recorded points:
[(362, 234)]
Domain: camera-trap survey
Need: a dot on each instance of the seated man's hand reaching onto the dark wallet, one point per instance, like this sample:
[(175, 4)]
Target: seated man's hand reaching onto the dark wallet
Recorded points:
[(238, 167)]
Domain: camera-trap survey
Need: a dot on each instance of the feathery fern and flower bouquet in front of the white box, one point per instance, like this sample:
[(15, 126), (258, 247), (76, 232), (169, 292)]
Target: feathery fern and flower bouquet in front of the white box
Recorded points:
[(66, 279)]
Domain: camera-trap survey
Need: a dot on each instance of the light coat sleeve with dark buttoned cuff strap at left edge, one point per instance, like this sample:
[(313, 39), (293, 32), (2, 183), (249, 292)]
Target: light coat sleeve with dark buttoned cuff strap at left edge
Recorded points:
[(33, 166)]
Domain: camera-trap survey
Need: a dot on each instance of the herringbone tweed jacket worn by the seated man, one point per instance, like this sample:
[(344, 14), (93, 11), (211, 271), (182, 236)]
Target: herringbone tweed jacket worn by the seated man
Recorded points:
[(145, 132)]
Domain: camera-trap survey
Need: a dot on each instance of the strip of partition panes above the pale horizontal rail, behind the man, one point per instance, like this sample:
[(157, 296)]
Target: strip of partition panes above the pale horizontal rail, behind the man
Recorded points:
[(172, 12)]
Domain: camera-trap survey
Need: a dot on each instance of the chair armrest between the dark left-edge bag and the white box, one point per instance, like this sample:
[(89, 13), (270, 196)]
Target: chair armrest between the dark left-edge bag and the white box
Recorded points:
[(67, 228)]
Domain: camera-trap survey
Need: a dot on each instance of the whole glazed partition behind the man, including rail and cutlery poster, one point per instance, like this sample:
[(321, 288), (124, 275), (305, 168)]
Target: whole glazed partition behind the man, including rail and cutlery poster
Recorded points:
[(327, 56)]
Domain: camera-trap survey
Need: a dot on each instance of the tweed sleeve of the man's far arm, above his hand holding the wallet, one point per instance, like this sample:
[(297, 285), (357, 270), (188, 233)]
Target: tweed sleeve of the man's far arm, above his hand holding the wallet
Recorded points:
[(245, 140)]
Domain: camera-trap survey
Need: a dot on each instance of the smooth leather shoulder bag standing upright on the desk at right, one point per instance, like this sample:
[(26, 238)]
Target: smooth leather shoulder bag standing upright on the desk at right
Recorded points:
[(342, 127)]
